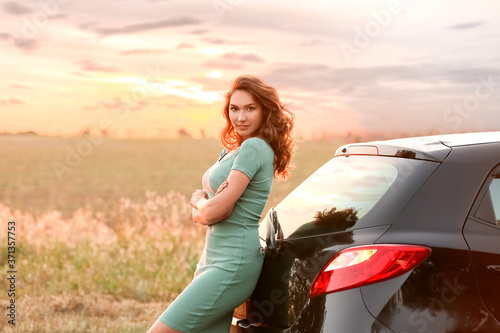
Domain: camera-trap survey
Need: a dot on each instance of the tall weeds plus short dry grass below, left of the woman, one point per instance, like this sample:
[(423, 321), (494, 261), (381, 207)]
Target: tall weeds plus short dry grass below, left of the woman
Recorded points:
[(115, 272)]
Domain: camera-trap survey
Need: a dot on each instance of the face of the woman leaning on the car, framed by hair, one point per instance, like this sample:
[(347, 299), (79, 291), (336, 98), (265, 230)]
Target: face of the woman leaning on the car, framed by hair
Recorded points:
[(245, 114)]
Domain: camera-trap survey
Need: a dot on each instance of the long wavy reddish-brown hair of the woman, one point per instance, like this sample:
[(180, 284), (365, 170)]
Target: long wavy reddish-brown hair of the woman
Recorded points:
[(277, 123)]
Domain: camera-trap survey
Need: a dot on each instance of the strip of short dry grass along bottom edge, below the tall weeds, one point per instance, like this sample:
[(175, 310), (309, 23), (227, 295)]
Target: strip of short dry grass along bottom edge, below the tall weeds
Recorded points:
[(79, 312)]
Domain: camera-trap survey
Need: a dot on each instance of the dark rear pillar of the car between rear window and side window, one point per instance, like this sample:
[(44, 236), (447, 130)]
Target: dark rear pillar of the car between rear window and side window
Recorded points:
[(465, 170)]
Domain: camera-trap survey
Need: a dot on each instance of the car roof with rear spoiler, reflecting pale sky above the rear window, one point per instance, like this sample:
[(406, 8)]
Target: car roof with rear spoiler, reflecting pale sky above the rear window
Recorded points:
[(432, 148)]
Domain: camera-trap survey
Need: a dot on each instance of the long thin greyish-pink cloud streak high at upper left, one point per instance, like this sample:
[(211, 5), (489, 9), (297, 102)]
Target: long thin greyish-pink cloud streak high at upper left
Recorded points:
[(134, 28)]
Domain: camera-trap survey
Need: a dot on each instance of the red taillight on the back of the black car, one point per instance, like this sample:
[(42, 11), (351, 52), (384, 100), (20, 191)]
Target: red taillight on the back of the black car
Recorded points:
[(363, 265)]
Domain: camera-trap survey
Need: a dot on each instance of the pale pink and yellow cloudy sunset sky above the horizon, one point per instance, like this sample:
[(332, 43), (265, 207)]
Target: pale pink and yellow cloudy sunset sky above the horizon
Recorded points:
[(146, 68)]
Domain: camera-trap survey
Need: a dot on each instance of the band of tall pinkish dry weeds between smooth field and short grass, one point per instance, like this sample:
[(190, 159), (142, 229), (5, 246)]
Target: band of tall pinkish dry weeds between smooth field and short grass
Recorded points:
[(144, 251)]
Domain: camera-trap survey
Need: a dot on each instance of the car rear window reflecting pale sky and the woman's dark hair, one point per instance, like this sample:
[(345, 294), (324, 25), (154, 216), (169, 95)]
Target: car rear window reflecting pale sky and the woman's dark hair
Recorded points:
[(352, 192)]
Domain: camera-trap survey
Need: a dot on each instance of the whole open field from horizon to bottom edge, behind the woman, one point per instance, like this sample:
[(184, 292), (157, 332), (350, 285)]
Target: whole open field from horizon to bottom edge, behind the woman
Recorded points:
[(104, 241)]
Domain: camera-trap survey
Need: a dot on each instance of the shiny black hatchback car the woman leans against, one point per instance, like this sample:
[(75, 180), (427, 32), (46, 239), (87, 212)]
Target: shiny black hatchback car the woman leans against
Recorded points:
[(388, 236)]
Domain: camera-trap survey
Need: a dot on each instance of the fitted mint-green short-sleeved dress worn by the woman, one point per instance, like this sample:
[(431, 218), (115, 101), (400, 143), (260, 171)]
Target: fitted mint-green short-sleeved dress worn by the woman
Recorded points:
[(231, 261)]
